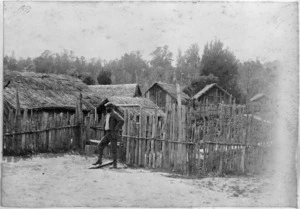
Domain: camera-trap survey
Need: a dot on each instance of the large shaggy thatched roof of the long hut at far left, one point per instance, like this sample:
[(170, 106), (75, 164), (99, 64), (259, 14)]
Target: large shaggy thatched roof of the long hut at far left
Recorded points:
[(47, 91)]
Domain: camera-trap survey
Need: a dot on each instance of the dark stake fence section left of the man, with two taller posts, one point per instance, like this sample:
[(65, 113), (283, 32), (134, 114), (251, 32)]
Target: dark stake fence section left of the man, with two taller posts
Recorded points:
[(36, 131)]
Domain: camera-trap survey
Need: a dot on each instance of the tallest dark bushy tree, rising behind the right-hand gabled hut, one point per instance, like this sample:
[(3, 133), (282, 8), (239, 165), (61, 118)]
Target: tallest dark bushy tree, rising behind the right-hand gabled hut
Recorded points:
[(222, 64)]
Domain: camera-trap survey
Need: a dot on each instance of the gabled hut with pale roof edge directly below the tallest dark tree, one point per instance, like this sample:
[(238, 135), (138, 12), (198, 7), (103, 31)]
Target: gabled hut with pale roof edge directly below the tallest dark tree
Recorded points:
[(212, 94)]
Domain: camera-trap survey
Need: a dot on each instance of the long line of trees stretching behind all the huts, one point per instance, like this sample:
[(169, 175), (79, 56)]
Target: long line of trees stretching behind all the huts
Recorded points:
[(192, 71)]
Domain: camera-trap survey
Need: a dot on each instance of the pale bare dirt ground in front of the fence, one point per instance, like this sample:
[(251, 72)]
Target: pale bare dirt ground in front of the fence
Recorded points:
[(65, 180)]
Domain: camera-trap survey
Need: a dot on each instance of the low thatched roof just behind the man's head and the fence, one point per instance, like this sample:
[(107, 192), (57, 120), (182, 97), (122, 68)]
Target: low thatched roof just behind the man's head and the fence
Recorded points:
[(133, 104)]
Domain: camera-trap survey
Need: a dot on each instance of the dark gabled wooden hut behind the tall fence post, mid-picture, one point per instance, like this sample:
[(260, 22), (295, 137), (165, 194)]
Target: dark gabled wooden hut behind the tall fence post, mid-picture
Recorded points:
[(164, 94)]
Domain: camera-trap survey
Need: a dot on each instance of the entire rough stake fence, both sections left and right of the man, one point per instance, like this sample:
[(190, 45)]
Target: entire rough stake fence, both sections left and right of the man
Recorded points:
[(194, 140)]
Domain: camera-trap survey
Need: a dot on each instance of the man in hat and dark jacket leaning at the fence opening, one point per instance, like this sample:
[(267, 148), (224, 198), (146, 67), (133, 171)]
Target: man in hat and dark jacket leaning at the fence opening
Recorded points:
[(112, 125)]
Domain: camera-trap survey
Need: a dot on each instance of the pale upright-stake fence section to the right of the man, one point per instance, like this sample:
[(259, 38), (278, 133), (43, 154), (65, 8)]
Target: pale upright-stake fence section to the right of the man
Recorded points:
[(221, 139)]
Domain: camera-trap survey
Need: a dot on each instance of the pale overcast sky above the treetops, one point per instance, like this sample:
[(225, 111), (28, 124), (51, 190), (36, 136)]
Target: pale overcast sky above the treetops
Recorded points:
[(267, 31)]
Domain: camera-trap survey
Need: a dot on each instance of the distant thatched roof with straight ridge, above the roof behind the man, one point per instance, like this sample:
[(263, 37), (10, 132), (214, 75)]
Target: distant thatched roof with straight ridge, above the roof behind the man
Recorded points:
[(126, 90)]
